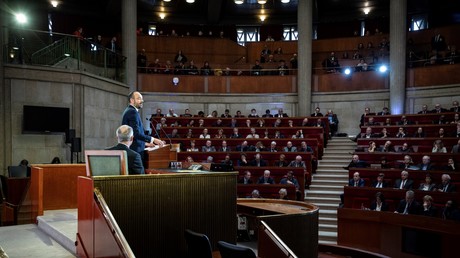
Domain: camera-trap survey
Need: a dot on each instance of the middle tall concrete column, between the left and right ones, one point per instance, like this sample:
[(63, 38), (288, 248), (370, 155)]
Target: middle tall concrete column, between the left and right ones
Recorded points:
[(305, 29)]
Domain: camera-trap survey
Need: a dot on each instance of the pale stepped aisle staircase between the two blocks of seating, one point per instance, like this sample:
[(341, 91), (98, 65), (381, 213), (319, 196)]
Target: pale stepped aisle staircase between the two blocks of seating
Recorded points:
[(327, 185)]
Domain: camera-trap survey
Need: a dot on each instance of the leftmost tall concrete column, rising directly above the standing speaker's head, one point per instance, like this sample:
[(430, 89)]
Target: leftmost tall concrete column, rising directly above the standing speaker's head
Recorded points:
[(129, 41)]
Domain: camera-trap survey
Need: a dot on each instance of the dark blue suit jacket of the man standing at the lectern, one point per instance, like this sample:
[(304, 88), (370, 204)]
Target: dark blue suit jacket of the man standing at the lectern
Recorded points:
[(132, 118)]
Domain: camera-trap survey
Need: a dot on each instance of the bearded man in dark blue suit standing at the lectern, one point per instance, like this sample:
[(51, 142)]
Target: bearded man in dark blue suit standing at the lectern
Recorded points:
[(132, 118)]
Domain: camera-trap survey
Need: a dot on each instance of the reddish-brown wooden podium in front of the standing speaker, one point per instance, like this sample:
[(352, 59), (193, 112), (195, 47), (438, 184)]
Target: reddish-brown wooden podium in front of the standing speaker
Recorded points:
[(161, 157)]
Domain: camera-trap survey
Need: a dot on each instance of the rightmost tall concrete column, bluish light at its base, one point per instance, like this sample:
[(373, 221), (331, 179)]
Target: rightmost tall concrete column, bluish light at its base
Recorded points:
[(398, 34)]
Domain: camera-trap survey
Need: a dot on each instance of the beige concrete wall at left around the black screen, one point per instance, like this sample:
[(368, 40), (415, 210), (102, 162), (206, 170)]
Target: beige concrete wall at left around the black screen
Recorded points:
[(95, 103)]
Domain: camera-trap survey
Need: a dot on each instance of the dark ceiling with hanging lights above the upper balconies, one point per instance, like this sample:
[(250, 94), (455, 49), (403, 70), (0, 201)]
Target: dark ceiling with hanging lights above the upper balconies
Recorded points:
[(226, 12)]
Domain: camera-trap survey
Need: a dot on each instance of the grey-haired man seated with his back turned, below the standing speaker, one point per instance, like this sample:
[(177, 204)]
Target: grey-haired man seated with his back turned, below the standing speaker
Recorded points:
[(125, 139)]
